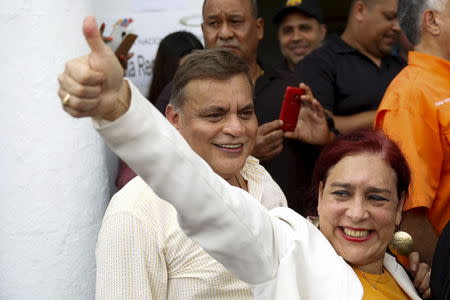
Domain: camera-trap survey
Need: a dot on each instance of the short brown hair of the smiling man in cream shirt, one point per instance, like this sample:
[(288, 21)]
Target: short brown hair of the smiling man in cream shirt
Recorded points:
[(218, 64)]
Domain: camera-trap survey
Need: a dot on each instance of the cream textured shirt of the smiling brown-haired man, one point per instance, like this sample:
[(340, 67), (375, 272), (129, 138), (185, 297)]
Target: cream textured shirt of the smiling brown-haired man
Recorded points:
[(142, 253)]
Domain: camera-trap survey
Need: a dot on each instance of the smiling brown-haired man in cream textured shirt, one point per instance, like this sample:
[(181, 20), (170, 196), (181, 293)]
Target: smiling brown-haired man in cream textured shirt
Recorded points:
[(142, 253)]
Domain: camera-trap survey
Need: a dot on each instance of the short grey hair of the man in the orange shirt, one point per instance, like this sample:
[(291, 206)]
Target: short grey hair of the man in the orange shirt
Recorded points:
[(410, 16)]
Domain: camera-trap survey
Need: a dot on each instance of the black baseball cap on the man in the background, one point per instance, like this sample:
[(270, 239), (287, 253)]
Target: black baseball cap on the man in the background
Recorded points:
[(308, 7)]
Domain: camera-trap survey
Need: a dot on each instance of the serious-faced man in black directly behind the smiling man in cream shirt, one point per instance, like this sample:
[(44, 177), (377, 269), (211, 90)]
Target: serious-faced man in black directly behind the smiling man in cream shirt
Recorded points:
[(233, 24)]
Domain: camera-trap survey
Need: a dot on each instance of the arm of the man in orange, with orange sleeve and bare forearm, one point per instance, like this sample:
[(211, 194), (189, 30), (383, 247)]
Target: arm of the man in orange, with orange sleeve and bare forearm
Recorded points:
[(419, 142)]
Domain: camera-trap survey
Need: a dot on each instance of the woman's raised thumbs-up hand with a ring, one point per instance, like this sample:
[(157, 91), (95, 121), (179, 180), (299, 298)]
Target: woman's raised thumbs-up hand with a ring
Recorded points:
[(93, 85)]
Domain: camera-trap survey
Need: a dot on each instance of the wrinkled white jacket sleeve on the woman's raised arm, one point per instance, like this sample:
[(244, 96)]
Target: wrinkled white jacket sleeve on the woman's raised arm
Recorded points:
[(226, 221)]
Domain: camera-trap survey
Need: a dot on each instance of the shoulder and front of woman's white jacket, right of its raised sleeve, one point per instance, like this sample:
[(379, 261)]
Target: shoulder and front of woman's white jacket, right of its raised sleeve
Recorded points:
[(306, 258)]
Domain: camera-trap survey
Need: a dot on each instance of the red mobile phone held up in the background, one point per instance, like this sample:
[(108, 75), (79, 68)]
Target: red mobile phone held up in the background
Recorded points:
[(291, 107)]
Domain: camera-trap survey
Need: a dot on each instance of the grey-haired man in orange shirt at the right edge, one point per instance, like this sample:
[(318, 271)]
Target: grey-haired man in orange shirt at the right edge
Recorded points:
[(415, 112)]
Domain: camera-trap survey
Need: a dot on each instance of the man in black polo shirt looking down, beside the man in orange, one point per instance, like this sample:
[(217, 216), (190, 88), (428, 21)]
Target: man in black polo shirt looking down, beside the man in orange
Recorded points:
[(350, 74)]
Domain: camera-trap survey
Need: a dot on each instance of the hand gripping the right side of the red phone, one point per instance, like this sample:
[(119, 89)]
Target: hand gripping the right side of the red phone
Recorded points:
[(312, 127)]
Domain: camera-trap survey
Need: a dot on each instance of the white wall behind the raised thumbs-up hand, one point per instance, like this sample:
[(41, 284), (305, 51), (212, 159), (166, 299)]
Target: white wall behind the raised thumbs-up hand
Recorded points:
[(56, 174)]
